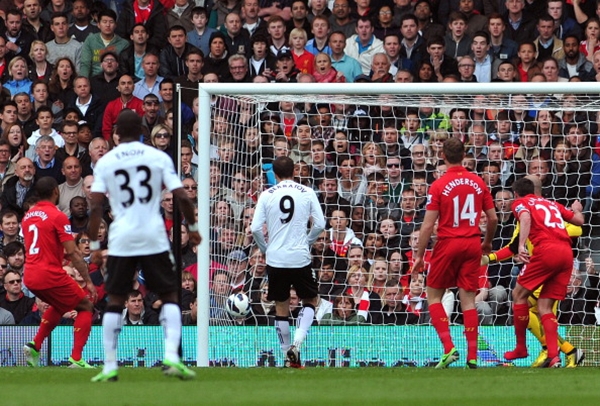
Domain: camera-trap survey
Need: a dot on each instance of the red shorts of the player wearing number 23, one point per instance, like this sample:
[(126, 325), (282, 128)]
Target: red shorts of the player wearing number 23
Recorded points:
[(551, 265)]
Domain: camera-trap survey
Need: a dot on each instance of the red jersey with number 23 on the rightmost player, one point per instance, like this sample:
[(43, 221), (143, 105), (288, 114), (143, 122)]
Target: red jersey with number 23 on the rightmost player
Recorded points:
[(547, 217)]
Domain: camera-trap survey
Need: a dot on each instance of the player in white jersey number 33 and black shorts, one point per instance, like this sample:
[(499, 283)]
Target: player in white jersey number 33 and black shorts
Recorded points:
[(133, 175)]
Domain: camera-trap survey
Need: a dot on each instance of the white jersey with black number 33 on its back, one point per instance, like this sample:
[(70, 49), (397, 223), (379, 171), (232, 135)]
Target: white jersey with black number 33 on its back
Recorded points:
[(133, 175)]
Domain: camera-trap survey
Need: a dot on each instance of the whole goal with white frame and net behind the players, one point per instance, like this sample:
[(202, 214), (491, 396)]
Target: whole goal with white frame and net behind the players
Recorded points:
[(371, 151)]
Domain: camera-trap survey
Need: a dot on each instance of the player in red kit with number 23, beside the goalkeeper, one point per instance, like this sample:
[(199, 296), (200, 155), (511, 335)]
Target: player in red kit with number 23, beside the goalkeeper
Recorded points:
[(542, 222)]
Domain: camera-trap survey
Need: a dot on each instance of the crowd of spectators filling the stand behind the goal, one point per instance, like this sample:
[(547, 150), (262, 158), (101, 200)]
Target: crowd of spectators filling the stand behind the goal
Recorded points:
[(67, 68)]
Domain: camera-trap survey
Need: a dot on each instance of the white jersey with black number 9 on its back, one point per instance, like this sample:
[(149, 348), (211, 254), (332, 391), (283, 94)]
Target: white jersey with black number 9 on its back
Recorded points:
[(286, 208)]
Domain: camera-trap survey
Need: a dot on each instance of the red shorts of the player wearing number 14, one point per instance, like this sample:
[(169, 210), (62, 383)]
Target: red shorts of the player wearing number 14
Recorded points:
[(455, 263)]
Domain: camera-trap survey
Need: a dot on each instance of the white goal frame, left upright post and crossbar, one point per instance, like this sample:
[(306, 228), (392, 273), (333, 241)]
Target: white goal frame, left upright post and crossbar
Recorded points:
[(447, 95)]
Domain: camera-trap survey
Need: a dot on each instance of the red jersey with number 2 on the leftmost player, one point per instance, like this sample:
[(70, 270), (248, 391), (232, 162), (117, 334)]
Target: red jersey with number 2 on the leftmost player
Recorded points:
[(45, 228)]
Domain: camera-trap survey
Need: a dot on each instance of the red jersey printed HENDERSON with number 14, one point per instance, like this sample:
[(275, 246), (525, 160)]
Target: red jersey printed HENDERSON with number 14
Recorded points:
[(459, 196)]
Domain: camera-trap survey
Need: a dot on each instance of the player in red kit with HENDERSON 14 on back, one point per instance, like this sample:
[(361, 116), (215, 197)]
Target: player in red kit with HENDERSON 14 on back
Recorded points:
[(456, 201)]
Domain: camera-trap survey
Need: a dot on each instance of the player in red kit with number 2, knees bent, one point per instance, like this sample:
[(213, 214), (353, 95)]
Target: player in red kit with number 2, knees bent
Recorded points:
[(47, 234)]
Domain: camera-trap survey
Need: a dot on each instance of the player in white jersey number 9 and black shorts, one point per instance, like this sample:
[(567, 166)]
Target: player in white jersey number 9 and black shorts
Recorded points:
[(287, 208)]
